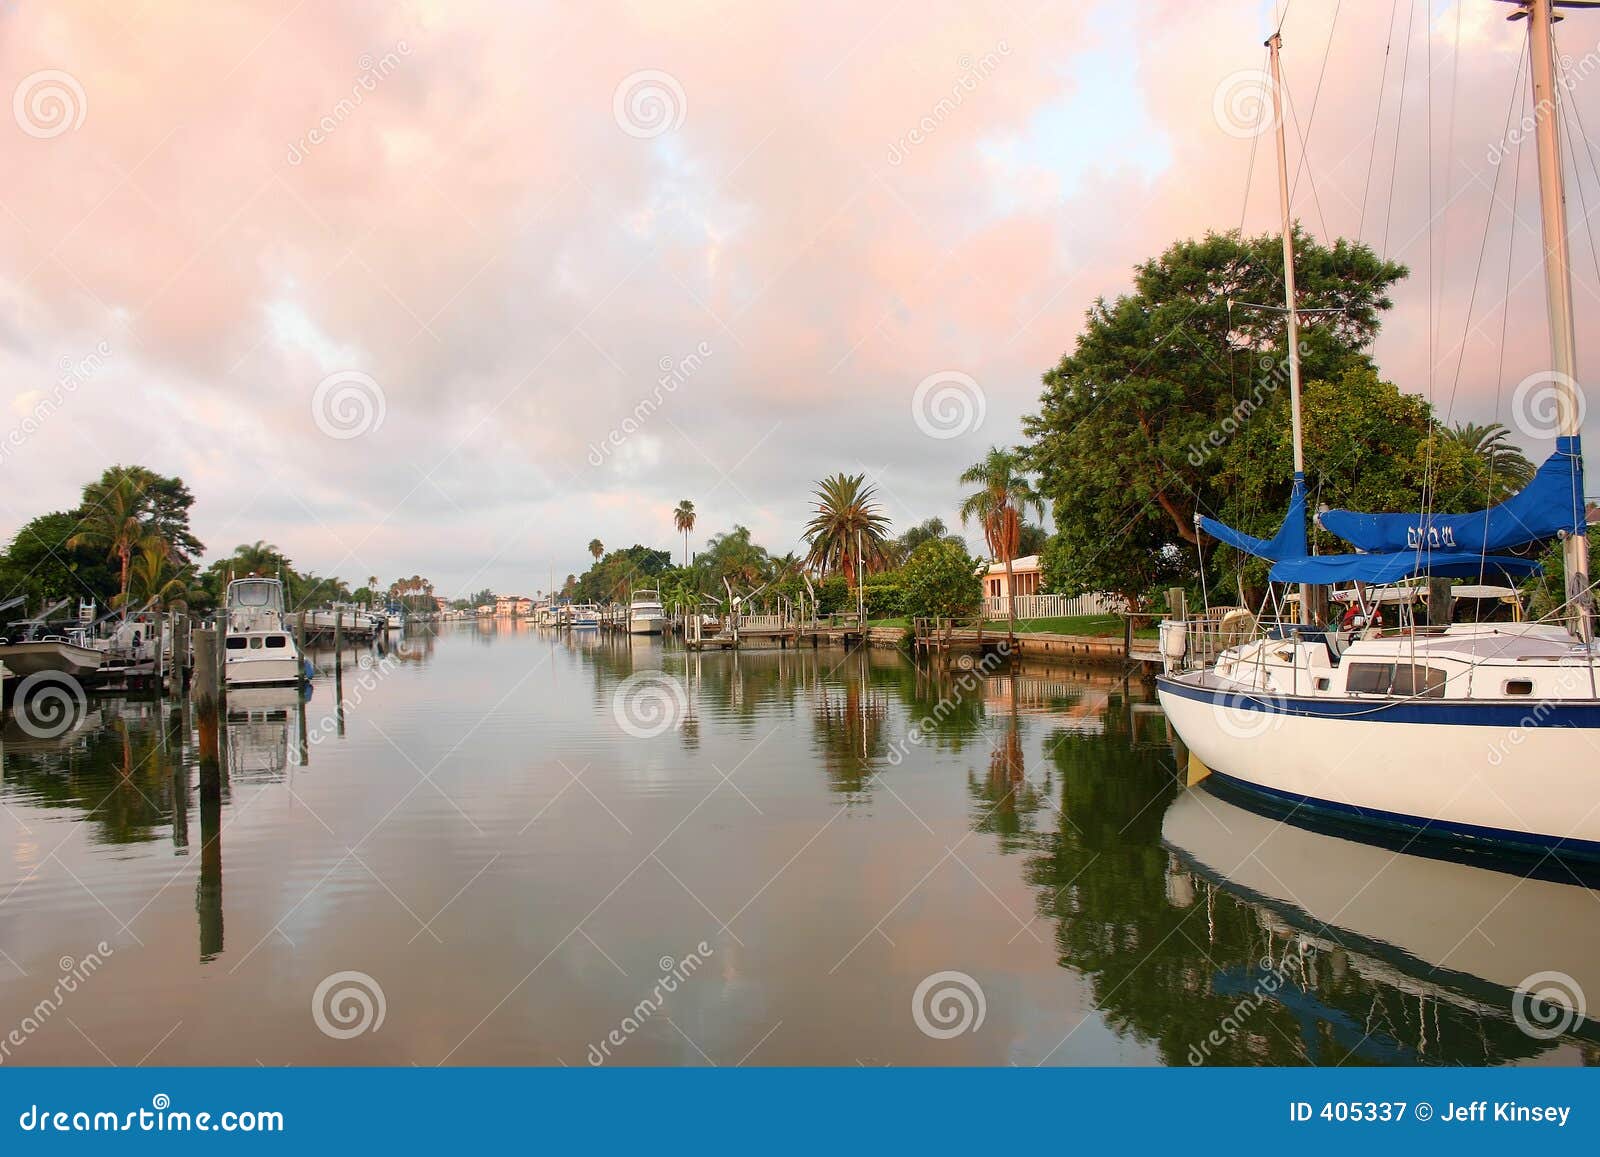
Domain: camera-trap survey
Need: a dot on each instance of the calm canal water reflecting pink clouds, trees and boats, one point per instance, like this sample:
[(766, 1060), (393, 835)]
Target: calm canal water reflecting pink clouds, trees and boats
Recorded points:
[(518, 846)]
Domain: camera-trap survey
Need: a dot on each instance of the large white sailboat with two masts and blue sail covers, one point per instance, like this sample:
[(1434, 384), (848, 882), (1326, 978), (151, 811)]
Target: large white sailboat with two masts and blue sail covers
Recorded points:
[(1482, 734)]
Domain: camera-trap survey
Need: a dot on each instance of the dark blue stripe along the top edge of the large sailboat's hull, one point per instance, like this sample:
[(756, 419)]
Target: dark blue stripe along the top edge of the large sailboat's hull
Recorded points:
[(1479, 713)]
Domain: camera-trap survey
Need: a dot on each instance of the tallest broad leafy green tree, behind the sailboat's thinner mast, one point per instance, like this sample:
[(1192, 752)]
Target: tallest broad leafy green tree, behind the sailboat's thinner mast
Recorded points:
[(1129, 438)]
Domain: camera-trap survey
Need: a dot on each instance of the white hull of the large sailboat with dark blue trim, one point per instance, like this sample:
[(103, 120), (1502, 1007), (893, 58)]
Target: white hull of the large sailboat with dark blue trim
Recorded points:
[(1508, 775)]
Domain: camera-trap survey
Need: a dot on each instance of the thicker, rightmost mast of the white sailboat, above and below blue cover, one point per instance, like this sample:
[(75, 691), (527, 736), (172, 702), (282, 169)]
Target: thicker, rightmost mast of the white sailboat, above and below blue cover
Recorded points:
[(1558, 279)]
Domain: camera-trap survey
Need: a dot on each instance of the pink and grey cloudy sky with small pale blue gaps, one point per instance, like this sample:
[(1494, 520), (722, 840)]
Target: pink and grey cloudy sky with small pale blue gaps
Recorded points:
[(454, 289)]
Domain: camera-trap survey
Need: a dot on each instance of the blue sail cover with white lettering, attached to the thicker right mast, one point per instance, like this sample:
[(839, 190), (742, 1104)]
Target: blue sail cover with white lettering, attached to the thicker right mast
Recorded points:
[(1550, 505)]
